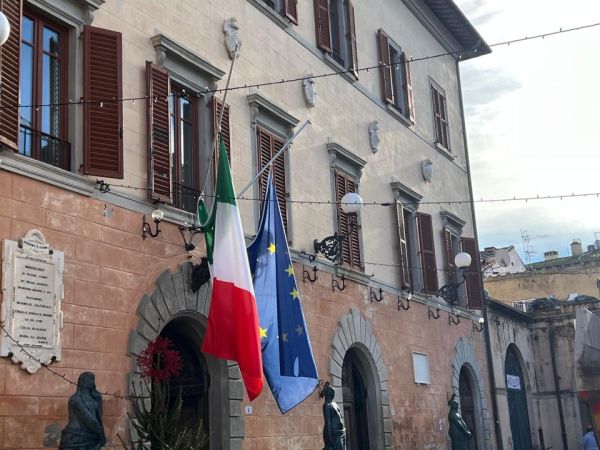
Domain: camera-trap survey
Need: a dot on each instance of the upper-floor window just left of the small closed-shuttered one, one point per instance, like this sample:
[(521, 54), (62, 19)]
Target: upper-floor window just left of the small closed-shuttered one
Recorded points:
[(395, 76)]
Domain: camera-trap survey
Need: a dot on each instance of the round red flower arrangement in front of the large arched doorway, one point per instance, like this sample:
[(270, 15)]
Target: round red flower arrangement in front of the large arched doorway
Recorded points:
[(159, 361)]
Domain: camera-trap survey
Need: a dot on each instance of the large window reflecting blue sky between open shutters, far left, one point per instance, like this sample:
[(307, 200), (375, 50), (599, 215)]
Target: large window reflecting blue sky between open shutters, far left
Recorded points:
[(43, 78)]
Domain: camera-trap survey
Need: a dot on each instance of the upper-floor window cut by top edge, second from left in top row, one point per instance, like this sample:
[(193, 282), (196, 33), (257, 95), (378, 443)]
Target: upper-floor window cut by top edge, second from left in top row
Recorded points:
[(336, 31)]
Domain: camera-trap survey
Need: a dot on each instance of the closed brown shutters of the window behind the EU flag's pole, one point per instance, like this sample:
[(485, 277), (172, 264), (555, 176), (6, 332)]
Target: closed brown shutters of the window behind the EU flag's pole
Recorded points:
[(268, 145)]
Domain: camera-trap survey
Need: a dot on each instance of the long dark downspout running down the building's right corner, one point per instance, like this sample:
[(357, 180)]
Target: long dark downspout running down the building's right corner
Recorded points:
[(488, 345)]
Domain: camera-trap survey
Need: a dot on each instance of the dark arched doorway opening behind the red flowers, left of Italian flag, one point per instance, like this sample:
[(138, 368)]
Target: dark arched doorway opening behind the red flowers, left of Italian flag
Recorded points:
[(194, 380)]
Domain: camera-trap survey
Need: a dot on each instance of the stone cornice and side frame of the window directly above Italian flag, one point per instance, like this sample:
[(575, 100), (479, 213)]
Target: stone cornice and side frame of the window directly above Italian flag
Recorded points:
[(191, 71)]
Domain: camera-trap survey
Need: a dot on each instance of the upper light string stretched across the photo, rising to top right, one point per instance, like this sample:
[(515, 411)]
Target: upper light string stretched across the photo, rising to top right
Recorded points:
[(459, 54)]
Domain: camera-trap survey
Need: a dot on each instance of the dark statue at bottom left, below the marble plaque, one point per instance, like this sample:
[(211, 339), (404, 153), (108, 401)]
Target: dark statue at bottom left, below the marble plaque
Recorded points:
[(85, 430)]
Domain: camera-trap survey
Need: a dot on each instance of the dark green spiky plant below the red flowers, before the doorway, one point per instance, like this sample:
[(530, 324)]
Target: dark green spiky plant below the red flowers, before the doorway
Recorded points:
[(158, 421)]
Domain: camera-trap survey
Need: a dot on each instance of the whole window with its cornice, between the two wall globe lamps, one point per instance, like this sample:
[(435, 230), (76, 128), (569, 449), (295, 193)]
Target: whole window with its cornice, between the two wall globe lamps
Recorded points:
[(407, 203)]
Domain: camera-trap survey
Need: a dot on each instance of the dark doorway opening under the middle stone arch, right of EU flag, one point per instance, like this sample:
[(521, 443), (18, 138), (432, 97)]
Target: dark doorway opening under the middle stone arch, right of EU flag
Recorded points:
[(354, 394)]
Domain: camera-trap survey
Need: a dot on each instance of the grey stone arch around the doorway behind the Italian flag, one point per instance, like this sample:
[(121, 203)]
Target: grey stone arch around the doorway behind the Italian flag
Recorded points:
[(173, 299)]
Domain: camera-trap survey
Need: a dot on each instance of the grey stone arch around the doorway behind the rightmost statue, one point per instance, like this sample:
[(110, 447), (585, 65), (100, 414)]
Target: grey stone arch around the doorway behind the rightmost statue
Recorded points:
[(464, 355)]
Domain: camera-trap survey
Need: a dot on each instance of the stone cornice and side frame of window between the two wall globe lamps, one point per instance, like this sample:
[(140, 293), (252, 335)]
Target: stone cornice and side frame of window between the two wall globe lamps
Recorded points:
[(410, 201)]
